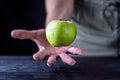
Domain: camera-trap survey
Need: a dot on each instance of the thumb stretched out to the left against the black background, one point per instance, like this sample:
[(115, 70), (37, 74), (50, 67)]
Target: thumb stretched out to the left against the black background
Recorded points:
[(22, 34)]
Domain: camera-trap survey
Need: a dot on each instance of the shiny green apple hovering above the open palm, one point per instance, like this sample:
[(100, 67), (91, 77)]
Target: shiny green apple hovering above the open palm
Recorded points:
[(61, 33)]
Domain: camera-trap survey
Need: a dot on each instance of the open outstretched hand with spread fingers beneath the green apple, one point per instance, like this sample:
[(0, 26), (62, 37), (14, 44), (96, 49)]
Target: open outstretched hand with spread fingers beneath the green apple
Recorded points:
[(45, 49)]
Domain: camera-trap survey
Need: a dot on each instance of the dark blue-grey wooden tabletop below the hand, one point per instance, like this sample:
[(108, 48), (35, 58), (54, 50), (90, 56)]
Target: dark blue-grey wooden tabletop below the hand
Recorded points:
[(25, 68)]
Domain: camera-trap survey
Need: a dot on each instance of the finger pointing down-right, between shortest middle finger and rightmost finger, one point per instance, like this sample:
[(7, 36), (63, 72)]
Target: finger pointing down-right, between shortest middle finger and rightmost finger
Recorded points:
[(67, 59)]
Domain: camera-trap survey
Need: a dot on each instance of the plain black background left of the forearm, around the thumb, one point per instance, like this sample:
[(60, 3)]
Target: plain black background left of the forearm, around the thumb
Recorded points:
[(19, 14)]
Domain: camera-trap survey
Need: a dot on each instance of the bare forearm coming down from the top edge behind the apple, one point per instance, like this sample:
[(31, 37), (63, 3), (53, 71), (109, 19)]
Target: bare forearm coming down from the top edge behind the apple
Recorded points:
[(58, 9)]
